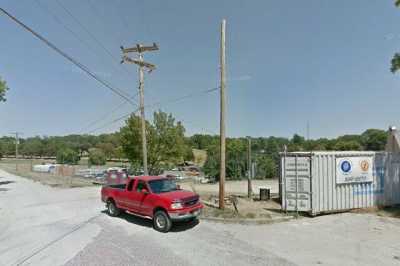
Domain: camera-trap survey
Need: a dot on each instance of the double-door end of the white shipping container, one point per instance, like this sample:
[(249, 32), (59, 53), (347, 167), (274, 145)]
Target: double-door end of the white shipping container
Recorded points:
[(297, 183)]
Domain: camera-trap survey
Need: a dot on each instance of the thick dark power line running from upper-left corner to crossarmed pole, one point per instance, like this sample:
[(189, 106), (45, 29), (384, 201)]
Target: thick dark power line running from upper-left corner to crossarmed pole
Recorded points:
[(69, 58)]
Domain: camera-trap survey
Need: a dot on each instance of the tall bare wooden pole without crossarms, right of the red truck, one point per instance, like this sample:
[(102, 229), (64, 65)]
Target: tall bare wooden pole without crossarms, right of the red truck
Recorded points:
[(222, 120)]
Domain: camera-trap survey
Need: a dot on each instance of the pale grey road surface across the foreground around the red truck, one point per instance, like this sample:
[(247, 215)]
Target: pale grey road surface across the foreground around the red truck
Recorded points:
[(40, 225)]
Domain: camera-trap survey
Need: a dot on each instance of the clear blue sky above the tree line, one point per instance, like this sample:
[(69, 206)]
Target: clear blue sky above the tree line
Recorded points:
[(289, 63)]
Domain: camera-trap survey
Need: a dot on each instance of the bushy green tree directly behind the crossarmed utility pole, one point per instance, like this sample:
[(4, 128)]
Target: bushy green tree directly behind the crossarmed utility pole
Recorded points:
[(165, 141)]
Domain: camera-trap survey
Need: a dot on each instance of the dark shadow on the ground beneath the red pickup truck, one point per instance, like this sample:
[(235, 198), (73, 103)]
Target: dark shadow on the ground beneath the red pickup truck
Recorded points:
[(176, 227)]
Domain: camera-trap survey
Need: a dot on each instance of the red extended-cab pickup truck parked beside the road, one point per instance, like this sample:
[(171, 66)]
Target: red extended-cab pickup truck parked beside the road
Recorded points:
[(153, 197)]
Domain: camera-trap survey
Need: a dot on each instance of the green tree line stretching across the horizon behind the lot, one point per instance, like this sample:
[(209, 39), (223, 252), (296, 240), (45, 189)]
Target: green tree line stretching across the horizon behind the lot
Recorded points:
[(168, 146)]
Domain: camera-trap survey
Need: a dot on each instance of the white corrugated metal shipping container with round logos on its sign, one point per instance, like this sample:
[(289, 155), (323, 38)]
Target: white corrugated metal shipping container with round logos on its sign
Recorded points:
[(324, 181)]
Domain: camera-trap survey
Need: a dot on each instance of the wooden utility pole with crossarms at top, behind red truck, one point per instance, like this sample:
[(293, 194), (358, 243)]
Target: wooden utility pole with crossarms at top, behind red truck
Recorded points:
[(142, 64)]
